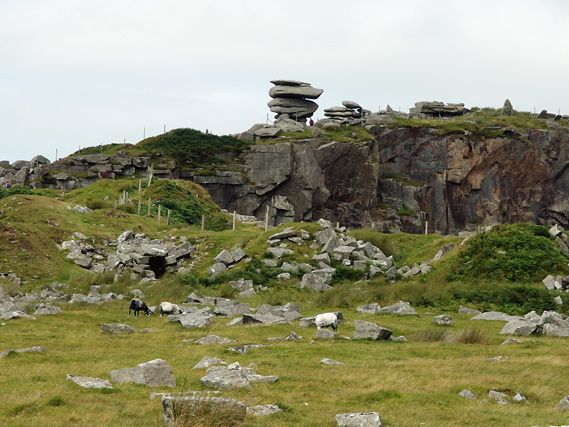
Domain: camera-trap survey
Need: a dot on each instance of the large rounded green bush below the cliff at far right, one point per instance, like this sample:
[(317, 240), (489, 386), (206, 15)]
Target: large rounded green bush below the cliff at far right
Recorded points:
[(515, 253)]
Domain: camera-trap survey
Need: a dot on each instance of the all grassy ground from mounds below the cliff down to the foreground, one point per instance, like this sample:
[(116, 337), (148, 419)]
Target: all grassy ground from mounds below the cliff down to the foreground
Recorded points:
[(409, 383)]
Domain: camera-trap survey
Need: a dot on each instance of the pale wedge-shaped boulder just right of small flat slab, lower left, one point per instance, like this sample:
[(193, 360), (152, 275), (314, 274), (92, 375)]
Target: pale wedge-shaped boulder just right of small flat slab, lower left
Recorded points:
[(155, 373)]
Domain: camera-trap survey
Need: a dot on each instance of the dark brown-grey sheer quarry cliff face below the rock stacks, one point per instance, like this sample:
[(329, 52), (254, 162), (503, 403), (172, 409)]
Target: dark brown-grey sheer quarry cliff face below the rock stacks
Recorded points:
[(405, 179)]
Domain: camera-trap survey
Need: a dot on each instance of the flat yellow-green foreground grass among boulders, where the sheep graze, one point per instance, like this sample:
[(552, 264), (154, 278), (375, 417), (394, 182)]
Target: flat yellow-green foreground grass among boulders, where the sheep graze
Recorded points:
[(408, 383)]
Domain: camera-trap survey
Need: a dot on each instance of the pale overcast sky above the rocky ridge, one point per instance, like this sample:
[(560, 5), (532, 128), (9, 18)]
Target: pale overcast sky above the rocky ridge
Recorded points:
[(76, 74)]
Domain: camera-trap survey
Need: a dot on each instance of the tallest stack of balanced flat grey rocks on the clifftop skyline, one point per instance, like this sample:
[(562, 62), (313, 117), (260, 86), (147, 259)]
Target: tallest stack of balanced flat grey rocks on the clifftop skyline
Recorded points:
[(291, 99)]
